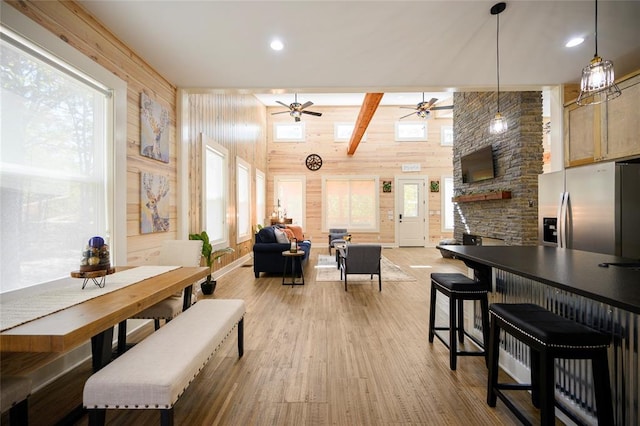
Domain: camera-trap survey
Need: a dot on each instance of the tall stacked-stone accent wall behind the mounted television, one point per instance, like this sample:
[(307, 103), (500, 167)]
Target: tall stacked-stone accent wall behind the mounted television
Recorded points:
[(517, 162)]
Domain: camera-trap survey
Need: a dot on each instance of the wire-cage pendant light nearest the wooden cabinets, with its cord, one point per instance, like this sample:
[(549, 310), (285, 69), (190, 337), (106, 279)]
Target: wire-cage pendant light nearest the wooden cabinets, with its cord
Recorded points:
[(597, 84)]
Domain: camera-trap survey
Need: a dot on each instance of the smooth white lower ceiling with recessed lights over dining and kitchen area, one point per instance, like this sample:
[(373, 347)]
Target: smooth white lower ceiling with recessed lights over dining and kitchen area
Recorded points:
[(362, 46)]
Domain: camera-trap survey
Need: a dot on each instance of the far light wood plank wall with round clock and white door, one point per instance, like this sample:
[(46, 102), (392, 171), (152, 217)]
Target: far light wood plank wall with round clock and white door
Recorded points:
[(379, 155)]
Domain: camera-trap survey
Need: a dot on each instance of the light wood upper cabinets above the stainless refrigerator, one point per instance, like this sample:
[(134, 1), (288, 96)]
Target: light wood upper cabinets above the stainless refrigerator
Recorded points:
[(606, 131)]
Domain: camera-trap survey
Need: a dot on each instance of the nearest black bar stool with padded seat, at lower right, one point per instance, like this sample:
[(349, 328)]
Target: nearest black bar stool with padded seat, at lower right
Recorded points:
[(549, 336)]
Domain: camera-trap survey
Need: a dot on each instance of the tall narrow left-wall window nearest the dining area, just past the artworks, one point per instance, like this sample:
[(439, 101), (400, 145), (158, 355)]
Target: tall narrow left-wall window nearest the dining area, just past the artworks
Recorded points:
[(215, 189)]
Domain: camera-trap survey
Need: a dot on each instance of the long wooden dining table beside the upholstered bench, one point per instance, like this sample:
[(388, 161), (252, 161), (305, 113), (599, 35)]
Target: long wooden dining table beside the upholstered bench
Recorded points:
[(95, 319)]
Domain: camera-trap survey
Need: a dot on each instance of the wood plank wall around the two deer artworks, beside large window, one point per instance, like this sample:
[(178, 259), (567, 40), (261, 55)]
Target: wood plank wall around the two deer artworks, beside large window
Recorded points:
[(71, 23)]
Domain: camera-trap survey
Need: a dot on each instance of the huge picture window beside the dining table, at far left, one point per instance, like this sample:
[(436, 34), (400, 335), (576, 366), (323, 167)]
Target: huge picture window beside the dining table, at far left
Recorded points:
[(57, 155)]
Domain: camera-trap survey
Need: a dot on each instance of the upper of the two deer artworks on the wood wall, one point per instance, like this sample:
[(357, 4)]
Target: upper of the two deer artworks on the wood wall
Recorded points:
[(154, 129)]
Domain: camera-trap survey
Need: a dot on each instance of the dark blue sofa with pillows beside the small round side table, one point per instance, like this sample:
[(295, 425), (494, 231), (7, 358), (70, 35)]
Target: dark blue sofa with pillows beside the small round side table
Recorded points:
[(267, 252)]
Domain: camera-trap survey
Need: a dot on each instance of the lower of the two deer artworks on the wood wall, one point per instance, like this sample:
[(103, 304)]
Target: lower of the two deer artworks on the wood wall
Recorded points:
[(154, 203)]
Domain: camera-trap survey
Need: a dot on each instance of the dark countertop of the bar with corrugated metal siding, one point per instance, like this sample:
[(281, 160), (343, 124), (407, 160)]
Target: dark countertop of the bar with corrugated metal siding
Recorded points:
[(576, 271)]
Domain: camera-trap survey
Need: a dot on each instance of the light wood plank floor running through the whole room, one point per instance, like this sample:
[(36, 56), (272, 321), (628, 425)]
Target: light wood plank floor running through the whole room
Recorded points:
[(318, 355)]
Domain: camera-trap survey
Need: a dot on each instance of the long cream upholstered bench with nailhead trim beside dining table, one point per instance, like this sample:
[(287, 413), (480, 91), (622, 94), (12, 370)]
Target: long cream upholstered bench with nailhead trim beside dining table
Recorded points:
[(155, 372)]
